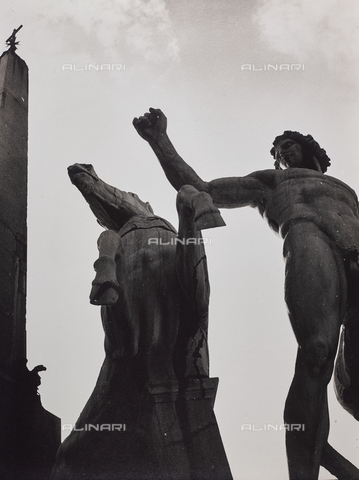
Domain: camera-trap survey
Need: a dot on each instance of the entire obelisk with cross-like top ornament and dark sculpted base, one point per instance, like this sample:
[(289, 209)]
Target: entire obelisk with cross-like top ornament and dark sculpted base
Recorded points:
[(29, 435)]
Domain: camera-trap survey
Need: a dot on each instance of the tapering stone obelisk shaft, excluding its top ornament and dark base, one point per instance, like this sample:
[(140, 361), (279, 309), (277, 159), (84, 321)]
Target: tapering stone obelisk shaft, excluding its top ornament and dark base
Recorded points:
[(13, 207)]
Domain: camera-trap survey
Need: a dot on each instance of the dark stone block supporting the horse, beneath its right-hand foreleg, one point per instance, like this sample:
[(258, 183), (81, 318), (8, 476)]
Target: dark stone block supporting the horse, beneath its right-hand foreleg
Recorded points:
[(185, 437)]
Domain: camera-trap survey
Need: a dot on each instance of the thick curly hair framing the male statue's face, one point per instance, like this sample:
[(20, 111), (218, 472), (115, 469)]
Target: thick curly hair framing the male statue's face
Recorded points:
[(310, 149)]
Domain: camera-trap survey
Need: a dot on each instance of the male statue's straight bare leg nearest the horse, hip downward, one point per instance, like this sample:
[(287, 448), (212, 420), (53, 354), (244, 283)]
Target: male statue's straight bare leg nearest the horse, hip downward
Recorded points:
[(316, 293)]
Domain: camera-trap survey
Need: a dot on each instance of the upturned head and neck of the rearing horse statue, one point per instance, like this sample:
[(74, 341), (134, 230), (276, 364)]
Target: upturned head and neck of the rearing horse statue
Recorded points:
[(111, 206)]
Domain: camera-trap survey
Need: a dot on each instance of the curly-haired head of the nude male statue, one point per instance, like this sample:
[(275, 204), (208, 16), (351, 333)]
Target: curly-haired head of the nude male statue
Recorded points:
[(292, 149)]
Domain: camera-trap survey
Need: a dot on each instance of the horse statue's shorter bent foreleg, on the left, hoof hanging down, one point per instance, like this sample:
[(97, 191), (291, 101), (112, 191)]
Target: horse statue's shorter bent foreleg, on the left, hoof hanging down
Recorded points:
[(105, 286)]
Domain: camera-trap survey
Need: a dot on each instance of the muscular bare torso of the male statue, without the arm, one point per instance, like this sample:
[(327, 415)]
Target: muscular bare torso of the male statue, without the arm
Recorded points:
[(301, 195)]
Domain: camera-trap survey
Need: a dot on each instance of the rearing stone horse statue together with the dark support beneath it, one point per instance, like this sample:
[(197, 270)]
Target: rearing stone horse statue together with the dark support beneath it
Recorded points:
[(158, 423)]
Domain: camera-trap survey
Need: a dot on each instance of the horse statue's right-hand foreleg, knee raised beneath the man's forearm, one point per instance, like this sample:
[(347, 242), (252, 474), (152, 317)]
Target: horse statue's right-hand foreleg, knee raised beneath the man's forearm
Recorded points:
[(195, 211)]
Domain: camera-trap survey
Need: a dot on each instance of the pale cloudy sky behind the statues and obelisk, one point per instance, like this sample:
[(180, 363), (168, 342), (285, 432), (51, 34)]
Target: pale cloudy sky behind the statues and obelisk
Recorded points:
[(205, 64)]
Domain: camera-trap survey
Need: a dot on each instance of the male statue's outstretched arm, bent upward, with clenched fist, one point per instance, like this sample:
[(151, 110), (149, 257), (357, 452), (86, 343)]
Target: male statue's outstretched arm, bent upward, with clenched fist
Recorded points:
[(232, 192)]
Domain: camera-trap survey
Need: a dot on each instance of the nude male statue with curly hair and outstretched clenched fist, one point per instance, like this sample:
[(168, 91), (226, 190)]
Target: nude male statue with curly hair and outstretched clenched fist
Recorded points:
[(317, 216)]
